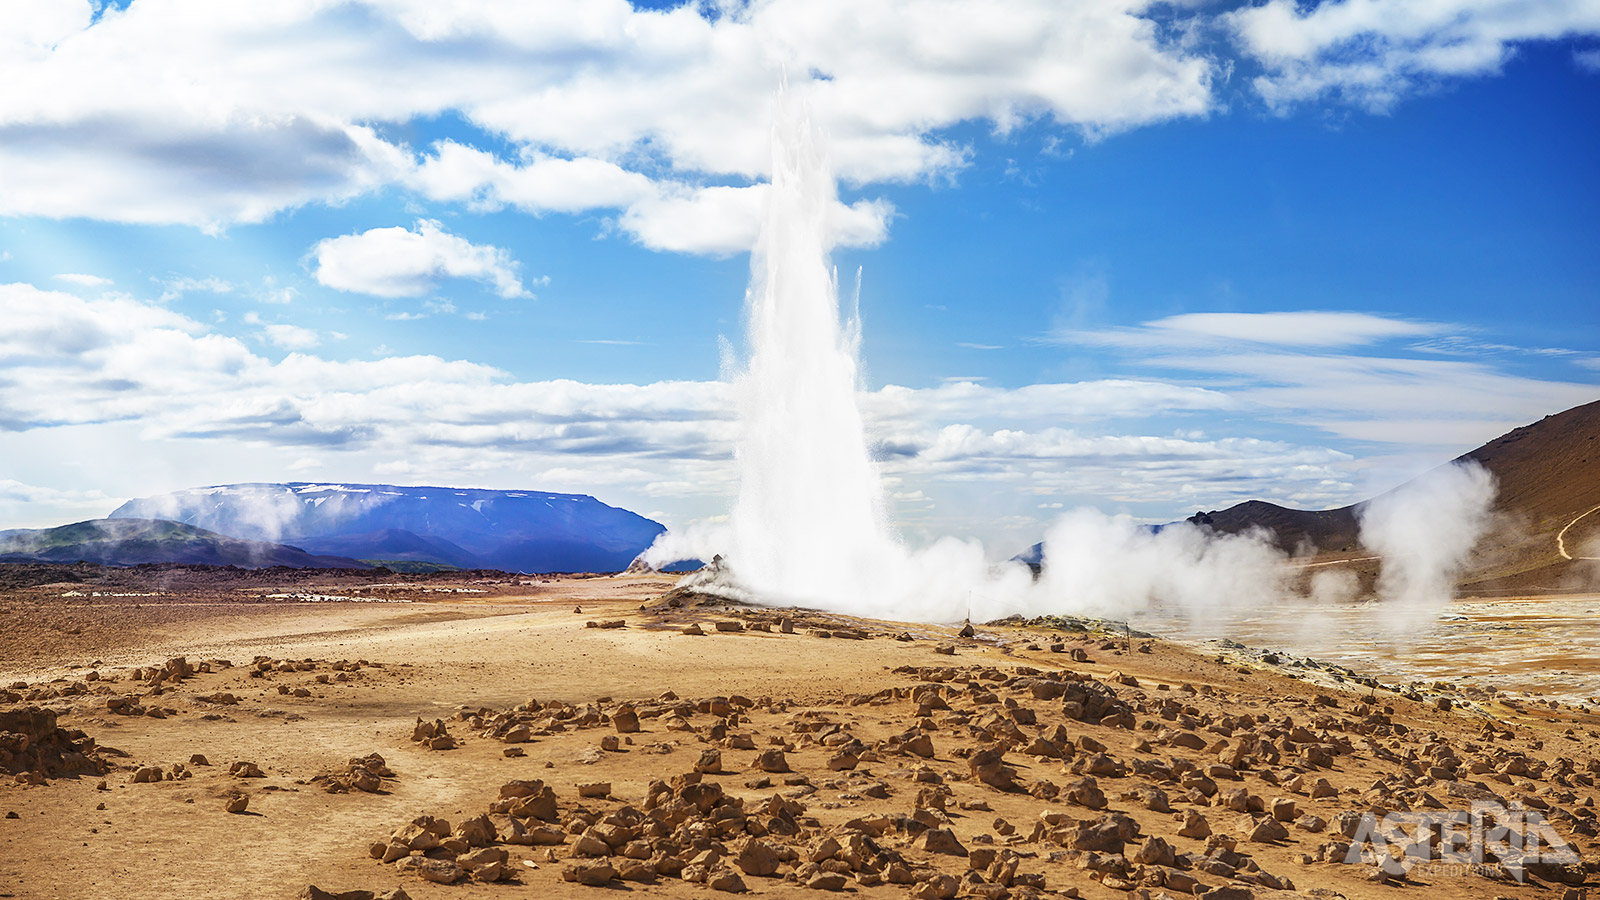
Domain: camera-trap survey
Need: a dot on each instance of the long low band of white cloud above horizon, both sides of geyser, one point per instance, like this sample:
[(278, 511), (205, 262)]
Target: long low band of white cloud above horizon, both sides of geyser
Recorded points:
[(198, 401)]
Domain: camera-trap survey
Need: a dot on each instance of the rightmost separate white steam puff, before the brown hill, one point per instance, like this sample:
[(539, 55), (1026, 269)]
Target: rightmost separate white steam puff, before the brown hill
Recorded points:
[(1425, 531)]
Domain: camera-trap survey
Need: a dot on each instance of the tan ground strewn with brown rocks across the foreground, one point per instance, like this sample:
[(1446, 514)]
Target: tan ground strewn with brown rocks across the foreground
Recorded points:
[(522, 749)]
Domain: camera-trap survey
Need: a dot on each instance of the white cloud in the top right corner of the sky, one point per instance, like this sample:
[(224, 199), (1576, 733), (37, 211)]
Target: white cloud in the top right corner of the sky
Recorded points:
[(1377, 52)]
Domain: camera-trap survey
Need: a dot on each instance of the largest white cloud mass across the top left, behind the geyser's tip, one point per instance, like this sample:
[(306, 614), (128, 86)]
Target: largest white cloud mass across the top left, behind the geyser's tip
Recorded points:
[(212, 113)]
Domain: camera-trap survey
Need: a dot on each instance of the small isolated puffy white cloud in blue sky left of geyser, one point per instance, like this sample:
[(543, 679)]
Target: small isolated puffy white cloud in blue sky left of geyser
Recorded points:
[(398, 262)]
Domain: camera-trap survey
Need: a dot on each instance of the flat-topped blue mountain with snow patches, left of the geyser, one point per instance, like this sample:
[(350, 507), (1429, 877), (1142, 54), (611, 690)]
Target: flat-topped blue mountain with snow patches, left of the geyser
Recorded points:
[(518, 531)]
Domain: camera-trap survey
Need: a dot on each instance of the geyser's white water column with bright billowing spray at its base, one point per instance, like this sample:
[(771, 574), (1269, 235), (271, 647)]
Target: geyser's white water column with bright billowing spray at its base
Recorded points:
[(809, 524)]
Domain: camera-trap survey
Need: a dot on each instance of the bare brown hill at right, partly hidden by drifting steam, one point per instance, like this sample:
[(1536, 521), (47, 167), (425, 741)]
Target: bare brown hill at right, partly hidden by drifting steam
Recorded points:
[(1548, 478)]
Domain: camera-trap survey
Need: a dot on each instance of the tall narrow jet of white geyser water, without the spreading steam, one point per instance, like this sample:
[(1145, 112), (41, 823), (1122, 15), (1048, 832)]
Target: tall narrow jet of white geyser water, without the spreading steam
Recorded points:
[(809, 523)]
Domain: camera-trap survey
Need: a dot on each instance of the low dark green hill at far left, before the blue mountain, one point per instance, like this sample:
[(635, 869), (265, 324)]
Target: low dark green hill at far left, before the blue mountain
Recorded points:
[(135, 542)]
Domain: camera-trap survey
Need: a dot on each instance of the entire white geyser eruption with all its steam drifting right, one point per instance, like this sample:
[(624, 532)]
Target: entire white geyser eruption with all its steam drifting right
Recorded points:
[(809, 523)]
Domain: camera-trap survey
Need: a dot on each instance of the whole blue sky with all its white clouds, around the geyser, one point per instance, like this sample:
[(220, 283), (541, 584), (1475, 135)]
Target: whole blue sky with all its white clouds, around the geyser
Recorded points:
[(1140, 257)]
